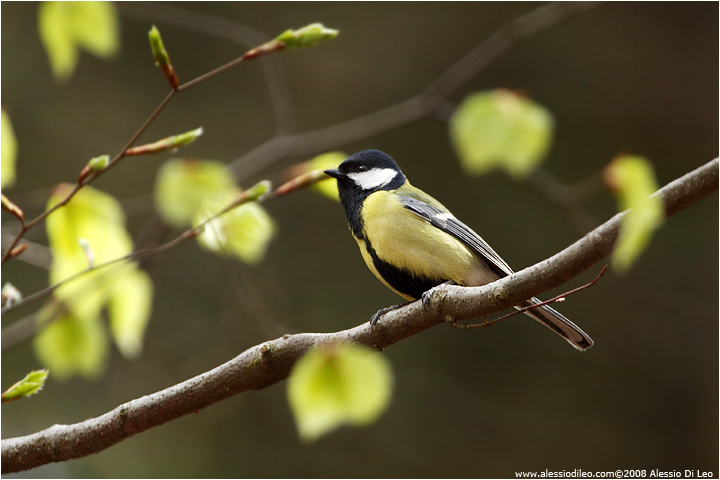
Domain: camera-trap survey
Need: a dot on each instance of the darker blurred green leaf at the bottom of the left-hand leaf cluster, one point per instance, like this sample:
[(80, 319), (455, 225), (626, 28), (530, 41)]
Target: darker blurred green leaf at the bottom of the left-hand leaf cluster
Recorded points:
[(69, 346)]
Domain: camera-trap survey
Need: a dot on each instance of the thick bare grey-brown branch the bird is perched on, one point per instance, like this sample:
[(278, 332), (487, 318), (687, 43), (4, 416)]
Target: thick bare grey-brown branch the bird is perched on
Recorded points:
[(270, 362)]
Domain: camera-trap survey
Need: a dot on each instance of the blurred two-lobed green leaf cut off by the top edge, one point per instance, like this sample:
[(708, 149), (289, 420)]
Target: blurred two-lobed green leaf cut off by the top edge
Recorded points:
[(67, 26)]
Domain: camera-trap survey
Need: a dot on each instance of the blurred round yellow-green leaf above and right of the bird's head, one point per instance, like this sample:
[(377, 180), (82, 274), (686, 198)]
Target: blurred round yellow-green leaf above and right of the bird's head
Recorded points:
[(501, 129)]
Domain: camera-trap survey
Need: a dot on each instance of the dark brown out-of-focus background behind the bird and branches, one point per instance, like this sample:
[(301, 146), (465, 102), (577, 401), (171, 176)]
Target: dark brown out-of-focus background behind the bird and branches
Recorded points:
[(622, 77)]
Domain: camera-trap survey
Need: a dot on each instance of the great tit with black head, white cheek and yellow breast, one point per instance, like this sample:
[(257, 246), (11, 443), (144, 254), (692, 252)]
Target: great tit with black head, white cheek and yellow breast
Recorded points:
[(412, 243)]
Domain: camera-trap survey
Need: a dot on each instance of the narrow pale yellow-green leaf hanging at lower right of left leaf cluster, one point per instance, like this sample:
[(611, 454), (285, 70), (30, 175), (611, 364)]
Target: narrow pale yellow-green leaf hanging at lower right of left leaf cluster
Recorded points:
[(129, 311)]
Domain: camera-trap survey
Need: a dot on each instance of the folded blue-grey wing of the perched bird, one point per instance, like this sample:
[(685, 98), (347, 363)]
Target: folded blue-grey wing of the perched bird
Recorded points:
[(446, 222)]
